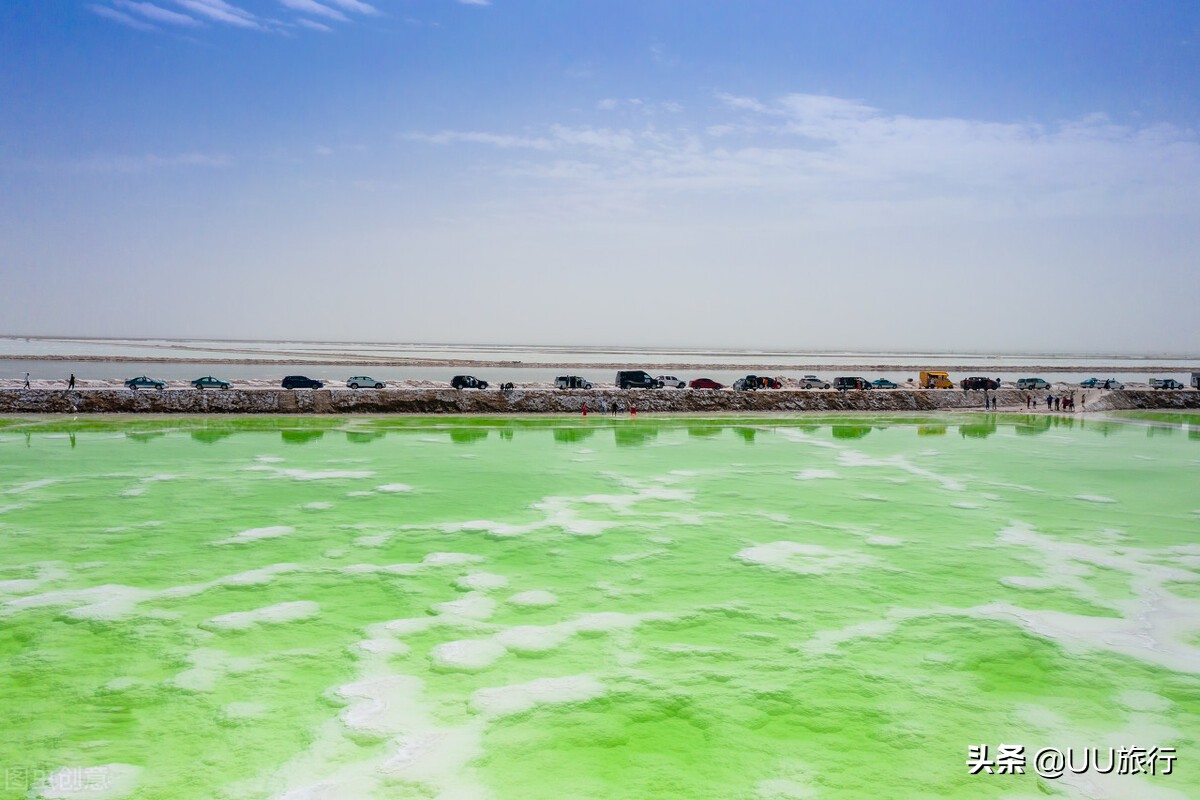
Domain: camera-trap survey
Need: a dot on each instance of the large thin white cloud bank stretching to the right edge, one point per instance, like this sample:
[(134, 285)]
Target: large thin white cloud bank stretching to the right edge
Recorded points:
[(818, 154)]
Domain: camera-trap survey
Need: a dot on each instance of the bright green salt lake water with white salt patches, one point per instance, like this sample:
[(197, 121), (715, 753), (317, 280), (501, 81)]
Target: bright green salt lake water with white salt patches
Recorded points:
[(553, 607)]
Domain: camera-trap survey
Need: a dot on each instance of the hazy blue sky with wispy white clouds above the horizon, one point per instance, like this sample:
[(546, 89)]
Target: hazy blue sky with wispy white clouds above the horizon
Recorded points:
[(982, 176)]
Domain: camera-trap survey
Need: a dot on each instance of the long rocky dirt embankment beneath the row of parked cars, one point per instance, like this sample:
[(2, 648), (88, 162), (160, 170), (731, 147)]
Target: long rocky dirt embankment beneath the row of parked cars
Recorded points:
[(549, 401)]
